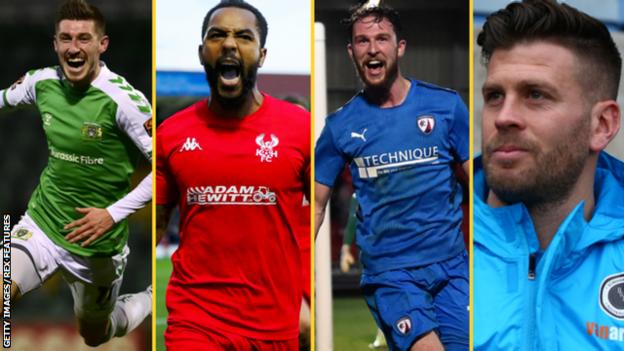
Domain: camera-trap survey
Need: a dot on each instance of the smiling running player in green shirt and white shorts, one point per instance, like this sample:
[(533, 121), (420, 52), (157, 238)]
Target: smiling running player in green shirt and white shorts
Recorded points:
[(97, 127)]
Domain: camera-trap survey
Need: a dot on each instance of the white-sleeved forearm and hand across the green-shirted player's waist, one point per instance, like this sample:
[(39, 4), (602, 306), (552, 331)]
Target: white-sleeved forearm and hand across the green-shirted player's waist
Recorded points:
[(97, 221)]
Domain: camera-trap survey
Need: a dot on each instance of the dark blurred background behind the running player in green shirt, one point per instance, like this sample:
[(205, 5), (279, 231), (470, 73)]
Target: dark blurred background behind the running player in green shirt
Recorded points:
[(43, 320)]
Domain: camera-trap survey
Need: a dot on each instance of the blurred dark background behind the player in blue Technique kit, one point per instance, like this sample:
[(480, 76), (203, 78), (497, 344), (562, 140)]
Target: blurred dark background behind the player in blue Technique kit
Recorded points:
[(437, 52)]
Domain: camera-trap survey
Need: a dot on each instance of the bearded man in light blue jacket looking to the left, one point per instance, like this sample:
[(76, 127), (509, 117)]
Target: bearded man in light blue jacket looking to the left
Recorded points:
[(549, 203)]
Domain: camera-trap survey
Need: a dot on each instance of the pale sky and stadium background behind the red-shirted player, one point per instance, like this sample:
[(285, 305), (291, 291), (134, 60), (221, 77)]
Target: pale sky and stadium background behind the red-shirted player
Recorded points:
[(180, 82)]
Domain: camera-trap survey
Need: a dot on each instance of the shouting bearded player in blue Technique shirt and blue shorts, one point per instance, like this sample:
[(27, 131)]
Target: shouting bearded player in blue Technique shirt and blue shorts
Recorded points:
[(401, 138)]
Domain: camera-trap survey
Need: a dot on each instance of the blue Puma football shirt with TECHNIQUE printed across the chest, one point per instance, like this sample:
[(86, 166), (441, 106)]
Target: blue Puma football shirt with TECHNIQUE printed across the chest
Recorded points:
[(401, 162)]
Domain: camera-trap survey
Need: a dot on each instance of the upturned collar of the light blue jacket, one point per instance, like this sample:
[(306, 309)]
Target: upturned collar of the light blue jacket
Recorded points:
[(574, 235)]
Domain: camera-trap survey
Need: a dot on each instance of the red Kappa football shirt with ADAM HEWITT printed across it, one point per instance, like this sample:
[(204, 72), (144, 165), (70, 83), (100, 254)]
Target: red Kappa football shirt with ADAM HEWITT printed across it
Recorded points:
[(239, 184)]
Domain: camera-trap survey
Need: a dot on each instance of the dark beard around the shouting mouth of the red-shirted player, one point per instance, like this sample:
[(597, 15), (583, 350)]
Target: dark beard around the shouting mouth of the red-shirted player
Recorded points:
[(248, 78)]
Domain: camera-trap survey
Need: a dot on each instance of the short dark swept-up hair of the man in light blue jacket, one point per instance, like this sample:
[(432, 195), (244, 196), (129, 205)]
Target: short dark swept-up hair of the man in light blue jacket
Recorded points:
[(547, 20)]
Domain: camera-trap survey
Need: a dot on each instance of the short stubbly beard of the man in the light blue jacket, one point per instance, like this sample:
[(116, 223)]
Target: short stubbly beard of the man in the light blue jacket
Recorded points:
[(551, 178)]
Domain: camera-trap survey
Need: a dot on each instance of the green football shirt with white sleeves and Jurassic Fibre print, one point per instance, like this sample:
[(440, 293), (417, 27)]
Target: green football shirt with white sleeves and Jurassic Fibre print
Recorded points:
[(95, 138)]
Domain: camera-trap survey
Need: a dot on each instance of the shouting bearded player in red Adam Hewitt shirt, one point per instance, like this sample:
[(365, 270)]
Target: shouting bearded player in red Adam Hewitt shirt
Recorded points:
[(238, 165)]
